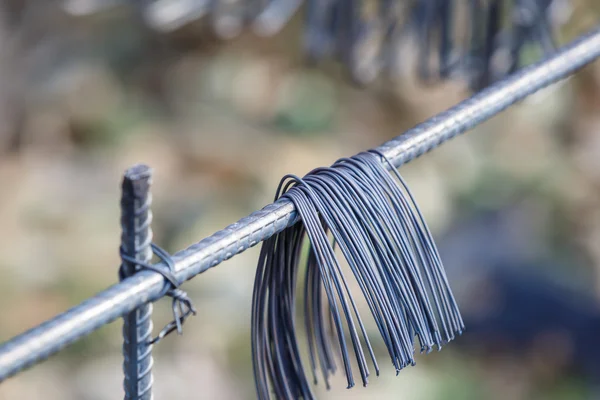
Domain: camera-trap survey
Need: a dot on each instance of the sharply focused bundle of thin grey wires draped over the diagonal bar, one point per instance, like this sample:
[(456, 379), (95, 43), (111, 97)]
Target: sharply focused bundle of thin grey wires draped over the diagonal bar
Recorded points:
[(359, 207)]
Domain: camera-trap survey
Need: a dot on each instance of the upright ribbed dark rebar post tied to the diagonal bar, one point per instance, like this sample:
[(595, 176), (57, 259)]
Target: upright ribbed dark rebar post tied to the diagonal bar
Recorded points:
[(136, 238)]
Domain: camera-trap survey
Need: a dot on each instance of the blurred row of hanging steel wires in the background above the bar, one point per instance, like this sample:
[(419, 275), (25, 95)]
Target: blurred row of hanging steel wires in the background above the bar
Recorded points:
[(479, 41)]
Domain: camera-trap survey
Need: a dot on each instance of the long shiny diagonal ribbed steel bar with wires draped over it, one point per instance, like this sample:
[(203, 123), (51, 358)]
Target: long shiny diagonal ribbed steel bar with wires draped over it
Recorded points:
[(116, 301)]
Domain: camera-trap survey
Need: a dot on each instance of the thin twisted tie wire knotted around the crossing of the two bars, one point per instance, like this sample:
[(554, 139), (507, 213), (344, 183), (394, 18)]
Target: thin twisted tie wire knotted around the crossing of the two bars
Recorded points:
[(182, 305)]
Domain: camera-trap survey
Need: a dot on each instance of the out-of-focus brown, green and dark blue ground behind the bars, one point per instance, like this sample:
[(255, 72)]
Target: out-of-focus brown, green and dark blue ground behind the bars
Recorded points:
[(515, 204)]
